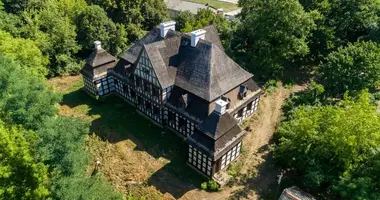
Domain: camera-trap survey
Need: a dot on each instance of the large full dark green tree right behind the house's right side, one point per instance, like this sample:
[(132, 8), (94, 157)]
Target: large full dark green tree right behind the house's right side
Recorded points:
[(268, 38)]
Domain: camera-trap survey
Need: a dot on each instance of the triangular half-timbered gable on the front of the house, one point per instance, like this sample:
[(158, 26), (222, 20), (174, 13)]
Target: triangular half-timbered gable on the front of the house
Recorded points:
[(145, 69)]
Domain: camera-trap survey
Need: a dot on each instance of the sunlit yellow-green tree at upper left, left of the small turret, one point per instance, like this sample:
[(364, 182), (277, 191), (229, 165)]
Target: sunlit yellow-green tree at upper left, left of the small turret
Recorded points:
[(55, 33)]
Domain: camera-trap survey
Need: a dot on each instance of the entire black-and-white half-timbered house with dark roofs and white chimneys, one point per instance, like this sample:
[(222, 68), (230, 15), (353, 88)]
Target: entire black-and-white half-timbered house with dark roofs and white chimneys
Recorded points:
[(183, 82)]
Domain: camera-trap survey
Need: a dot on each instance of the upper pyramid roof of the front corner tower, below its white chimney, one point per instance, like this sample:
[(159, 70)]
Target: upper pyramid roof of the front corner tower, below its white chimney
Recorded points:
[(215, 125)]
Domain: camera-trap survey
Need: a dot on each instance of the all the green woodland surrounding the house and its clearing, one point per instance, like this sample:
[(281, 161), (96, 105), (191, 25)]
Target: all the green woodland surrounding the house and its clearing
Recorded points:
[(329, 134)]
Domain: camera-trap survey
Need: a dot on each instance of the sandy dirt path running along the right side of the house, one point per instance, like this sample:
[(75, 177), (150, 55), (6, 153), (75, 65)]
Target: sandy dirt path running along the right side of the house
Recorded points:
[(256, 144)]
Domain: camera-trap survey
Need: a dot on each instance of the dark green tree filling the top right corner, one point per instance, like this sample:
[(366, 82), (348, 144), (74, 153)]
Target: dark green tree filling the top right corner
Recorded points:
[(341, 22)]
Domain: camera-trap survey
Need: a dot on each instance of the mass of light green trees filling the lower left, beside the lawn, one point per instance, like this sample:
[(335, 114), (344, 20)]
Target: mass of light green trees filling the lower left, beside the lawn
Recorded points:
[(43, 155)]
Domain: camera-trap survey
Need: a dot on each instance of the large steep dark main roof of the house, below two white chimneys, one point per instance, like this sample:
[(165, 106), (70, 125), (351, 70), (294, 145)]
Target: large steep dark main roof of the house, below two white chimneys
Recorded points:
[(205, 71)]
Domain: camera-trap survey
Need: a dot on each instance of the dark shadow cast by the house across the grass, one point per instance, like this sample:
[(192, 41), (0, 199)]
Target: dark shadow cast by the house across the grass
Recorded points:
[(115, 120)]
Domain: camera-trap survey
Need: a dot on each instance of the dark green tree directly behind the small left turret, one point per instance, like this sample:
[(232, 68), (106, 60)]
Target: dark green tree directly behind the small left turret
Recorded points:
[(93, 24)]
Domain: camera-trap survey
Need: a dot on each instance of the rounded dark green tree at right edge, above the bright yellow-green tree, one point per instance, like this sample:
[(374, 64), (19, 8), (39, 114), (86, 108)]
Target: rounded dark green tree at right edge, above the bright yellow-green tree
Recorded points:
[(354, 67)]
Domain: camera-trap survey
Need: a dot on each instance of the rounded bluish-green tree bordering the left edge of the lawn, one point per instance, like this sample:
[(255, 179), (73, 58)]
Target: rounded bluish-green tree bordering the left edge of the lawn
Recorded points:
[(61, 145)]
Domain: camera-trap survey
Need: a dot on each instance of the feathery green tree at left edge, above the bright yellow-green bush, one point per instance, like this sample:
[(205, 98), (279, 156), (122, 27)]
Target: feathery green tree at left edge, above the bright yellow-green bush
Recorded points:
[(24, 98)]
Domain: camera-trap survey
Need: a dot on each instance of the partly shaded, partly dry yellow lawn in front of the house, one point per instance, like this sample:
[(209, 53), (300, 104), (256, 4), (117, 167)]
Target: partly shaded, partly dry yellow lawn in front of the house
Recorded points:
[(137, 156)]
